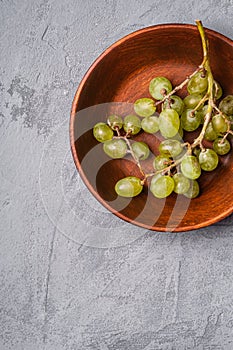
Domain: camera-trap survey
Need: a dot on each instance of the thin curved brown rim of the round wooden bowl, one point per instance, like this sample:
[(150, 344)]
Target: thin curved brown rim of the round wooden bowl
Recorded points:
[(72, 121)]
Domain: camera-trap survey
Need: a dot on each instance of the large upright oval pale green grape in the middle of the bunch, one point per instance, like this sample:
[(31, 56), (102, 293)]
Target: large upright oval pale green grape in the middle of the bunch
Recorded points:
[(169, 122)]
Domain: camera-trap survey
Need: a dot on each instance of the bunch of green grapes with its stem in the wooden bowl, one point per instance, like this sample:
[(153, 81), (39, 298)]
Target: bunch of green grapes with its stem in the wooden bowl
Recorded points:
[(179, 164)]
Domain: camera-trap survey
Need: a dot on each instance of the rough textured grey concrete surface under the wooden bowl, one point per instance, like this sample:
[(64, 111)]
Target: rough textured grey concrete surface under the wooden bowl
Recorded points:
[(92, 286)]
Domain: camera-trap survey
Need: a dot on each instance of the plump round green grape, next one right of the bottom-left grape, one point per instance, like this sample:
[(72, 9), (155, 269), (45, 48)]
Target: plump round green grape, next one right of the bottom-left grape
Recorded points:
[(162, 186)]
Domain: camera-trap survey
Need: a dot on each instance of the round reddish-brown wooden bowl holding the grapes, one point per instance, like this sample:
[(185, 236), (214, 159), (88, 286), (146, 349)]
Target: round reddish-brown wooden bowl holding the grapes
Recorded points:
[(115, 80)]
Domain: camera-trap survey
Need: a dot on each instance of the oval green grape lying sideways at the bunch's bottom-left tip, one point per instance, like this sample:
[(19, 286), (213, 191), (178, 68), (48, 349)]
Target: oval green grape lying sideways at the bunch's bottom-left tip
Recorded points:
[(130, 186)]
